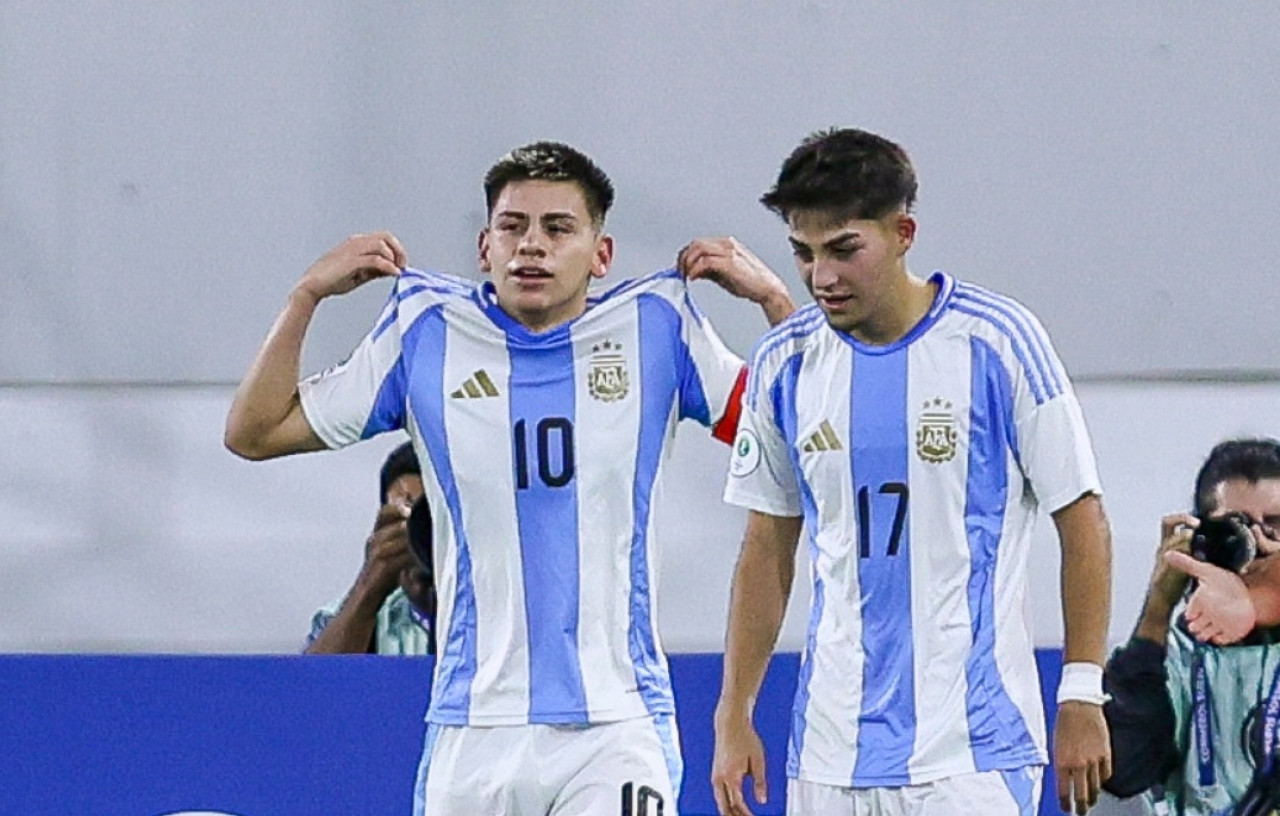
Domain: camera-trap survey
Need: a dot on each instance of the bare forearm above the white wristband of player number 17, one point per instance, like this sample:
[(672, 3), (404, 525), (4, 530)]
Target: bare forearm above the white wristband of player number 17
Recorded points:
[(1086, 538)]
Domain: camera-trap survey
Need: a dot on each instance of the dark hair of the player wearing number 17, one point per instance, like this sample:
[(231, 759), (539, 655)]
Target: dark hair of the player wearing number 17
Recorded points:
[(845, 173)]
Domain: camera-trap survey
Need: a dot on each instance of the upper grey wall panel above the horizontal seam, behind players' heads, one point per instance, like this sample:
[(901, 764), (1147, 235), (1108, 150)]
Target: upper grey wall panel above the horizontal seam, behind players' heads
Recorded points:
[(168, 171)]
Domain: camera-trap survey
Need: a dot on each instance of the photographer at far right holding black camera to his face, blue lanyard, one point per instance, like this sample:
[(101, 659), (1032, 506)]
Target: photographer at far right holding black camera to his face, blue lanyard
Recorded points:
[(1196, 727)]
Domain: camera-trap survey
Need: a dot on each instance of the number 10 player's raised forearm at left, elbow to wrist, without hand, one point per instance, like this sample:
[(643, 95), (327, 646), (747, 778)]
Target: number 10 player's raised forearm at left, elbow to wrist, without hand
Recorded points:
[(269, 393)]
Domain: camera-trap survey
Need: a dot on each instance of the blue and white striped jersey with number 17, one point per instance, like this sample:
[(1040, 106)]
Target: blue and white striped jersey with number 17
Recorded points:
[(920, 469)]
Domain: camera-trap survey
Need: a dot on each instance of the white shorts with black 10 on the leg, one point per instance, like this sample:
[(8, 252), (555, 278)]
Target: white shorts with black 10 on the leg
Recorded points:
[(632, 768)]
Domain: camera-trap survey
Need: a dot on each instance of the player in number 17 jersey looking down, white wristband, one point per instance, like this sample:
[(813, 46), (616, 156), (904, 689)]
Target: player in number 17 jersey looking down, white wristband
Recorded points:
[(915, 428)]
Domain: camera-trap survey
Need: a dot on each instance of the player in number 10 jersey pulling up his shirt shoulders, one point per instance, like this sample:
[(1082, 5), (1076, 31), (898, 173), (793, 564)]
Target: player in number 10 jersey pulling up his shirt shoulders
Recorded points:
[(543, 419)]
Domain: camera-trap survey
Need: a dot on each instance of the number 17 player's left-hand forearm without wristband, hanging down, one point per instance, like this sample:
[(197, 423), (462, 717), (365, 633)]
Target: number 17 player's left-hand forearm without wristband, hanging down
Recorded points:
[(762, 585)]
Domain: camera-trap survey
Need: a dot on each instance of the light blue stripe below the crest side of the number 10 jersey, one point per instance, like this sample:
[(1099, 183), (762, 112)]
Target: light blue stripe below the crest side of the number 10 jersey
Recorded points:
[(659, 392)]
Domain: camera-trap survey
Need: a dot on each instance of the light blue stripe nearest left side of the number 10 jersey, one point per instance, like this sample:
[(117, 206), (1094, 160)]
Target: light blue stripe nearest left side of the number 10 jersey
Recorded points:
[(426, 351)]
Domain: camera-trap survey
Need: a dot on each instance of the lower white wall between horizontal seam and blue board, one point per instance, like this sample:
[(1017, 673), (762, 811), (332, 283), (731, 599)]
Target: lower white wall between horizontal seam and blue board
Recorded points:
[(126, 526)]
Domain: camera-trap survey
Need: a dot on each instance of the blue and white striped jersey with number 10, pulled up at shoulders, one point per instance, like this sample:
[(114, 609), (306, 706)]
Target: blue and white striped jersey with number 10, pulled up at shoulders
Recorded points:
[(542, 459)]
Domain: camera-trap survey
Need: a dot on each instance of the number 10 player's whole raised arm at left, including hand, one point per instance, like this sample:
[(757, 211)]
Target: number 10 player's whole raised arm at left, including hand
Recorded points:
[(266, 419)]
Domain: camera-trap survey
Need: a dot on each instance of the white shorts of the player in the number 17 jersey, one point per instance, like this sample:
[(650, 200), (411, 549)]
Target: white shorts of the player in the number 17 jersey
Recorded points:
[(995, 794)]
